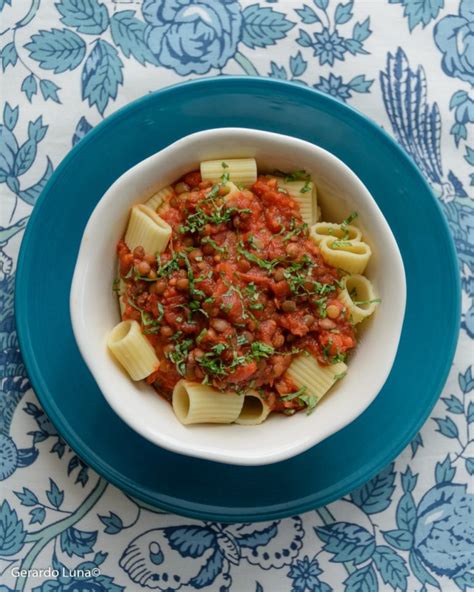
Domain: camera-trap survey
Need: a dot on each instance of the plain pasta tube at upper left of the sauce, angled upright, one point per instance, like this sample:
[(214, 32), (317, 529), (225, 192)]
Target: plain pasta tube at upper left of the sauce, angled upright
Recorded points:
[(146, 229)]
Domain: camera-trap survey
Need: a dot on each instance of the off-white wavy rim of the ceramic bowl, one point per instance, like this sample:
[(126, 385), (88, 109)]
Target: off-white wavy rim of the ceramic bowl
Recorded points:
[(205, 450)]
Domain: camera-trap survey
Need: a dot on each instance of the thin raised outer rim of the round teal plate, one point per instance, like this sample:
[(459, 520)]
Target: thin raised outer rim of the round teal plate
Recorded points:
[(172, 504)]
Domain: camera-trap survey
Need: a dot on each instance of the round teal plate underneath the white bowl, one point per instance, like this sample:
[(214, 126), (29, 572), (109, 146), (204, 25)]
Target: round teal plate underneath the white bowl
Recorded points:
[(200, 488)]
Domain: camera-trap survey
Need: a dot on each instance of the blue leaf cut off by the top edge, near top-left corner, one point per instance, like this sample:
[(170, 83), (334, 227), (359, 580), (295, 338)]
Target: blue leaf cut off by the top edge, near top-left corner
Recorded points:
[(87, 16)]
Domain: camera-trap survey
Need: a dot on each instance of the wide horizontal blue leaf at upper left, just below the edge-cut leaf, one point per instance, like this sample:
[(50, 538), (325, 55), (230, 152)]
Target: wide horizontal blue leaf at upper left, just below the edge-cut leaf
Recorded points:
[(58, 49)]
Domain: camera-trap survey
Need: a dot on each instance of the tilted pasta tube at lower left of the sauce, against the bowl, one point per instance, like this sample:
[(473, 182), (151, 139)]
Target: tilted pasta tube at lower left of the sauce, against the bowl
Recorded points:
[(133, 350)]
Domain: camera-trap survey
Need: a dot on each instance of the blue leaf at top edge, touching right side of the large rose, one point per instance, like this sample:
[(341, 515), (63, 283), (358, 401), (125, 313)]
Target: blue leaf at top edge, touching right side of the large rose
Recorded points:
[(263, 26)]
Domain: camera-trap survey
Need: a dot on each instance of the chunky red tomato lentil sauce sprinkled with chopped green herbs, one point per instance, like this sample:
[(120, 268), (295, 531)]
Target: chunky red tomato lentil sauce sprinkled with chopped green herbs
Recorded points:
[(239, 291)]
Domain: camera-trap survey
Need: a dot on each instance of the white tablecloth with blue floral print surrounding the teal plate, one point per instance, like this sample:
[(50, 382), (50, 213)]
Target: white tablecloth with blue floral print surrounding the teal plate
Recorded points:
[(66, 64)]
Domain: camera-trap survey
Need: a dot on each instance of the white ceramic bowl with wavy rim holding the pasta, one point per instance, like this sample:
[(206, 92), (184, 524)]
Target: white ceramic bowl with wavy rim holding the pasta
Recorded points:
[(94, 307)]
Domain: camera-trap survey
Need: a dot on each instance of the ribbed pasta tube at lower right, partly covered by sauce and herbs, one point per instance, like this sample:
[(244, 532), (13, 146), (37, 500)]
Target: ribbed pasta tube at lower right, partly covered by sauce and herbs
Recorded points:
[(305, 371)]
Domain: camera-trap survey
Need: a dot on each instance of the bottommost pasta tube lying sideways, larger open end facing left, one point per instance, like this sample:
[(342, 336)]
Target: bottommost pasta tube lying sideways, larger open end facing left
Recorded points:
[(194, 402)]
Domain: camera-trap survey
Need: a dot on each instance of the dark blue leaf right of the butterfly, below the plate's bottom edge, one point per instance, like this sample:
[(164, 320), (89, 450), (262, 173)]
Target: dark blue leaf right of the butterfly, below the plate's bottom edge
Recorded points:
[(348, 542)]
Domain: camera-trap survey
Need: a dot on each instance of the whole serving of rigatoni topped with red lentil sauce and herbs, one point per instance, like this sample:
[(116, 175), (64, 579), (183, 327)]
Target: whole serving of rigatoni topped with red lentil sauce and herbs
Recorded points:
[(235, 302)]
